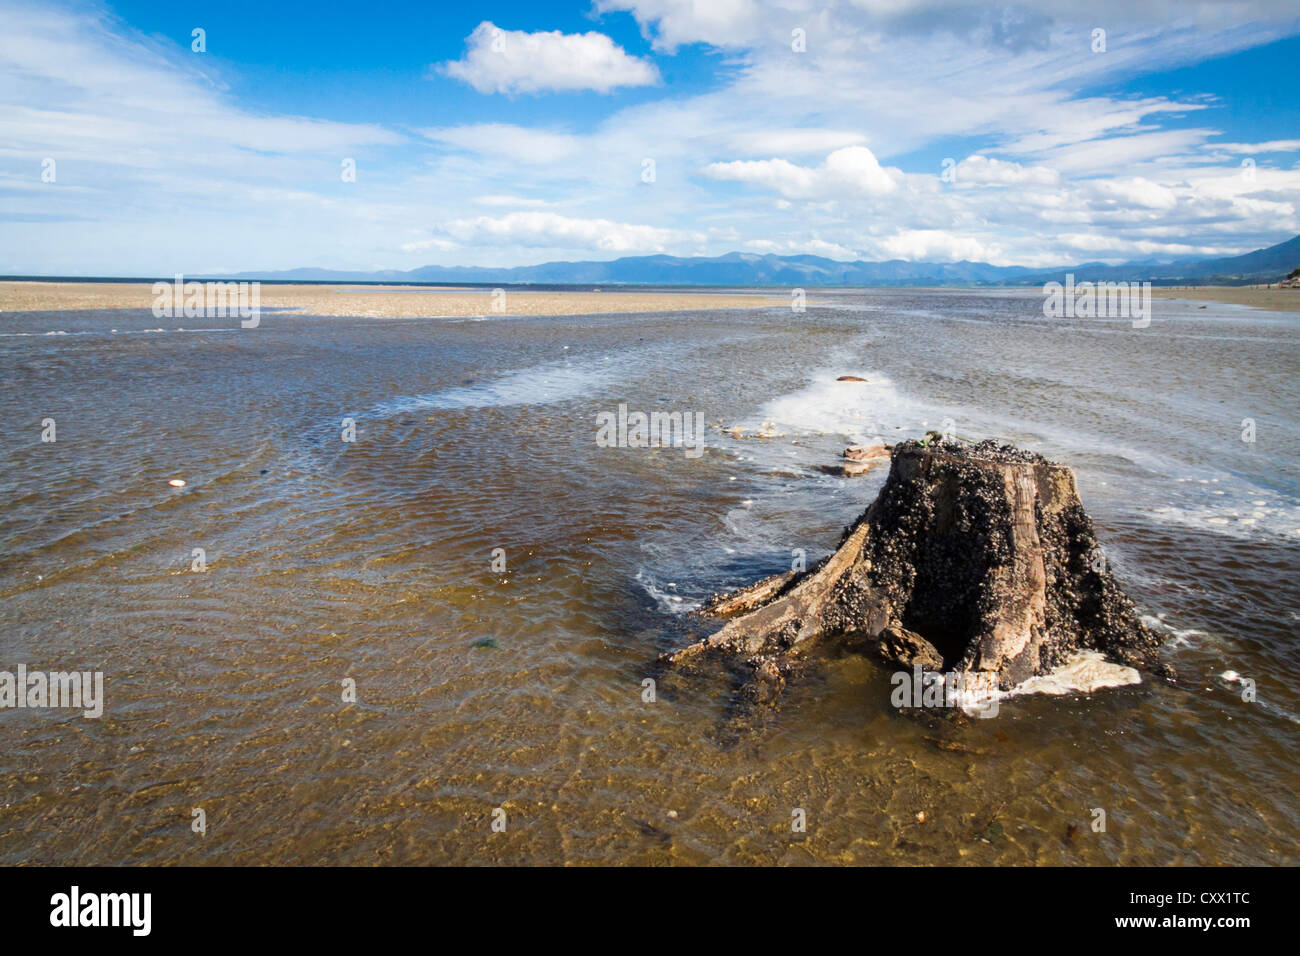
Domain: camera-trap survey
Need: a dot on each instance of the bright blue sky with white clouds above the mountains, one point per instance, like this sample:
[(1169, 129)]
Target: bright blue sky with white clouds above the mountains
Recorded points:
[(512, 133)]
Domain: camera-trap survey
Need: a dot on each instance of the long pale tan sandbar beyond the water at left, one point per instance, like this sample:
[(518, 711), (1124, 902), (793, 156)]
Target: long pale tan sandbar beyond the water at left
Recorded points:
[(385, 302)]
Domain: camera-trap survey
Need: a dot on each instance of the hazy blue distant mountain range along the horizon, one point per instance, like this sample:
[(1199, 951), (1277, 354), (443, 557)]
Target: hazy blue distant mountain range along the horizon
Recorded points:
[(747, 270)]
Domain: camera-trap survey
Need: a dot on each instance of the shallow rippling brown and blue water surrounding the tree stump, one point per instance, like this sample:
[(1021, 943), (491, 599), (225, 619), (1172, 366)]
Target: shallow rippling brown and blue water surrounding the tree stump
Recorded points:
[(476, 690)]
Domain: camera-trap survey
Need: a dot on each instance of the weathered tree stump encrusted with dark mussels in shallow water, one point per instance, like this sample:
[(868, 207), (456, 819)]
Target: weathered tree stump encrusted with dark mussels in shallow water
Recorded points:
[(980, 559)]
